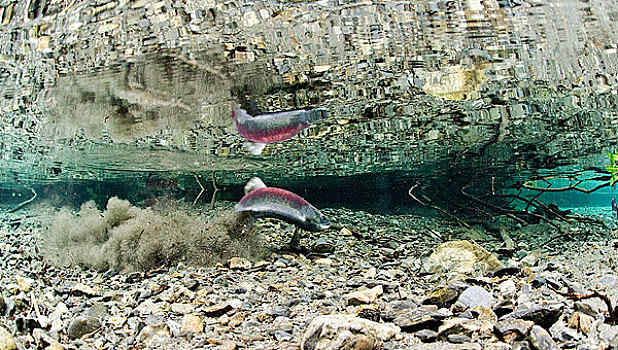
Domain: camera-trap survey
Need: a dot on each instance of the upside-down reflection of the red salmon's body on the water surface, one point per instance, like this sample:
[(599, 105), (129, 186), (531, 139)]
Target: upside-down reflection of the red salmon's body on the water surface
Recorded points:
[(275, 127)]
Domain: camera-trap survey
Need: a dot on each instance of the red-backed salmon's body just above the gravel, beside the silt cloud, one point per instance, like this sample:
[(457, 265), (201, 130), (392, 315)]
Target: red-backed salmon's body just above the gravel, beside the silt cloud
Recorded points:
[(281, 204)]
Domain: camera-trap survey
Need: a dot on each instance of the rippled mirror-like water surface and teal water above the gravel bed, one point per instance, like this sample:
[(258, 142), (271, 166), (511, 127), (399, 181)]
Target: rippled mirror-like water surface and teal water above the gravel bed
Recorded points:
[(133, 99)]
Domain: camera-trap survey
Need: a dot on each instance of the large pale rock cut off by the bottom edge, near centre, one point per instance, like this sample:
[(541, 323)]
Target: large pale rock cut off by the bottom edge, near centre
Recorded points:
[(334, 332)]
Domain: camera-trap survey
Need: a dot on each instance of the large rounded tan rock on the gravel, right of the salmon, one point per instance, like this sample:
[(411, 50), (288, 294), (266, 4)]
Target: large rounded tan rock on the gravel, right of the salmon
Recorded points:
[(461, 257)]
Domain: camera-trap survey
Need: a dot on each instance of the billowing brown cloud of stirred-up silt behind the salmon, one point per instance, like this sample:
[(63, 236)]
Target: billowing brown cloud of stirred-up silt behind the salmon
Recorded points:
[(125, 237)]
